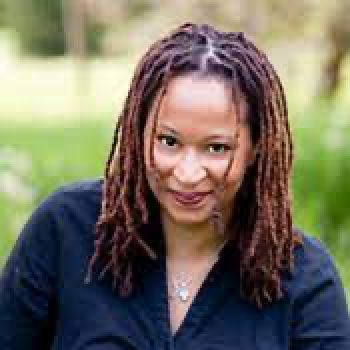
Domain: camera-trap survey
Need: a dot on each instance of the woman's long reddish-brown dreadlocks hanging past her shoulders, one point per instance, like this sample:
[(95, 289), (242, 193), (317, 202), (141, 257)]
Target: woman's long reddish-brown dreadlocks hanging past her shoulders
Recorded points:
[(262, 222)]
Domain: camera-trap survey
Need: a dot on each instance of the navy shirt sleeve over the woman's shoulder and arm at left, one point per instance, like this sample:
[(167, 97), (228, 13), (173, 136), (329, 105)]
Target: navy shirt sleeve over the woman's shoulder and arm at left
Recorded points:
[(53, 243)]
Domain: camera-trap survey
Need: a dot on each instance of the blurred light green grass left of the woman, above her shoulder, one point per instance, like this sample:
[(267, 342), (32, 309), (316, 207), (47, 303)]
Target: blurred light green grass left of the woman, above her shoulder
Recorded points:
[(51, 156)]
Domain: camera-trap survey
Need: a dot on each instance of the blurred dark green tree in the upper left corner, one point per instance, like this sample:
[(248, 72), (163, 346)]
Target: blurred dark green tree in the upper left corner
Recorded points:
[(40, 26)]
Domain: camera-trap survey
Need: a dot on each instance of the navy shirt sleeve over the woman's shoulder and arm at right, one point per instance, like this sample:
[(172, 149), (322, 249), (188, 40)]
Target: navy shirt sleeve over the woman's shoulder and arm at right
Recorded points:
[(319, 313)]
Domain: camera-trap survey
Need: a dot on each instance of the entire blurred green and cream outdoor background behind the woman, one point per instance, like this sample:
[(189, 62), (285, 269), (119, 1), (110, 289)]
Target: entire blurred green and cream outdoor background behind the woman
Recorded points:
[(65, 67)]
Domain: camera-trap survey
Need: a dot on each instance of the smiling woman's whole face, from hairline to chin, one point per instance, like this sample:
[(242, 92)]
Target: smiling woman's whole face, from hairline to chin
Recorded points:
[(194, 141)]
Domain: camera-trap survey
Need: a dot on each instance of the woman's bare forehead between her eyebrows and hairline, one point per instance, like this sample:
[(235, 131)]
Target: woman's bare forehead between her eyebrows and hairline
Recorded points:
[(199, 102)]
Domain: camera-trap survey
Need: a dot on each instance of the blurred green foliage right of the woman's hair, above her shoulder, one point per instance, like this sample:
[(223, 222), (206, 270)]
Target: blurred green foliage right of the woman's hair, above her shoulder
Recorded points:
[(322, 173)]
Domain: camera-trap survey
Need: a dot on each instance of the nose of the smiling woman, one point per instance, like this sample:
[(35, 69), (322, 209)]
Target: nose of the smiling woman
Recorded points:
[(189, 170)]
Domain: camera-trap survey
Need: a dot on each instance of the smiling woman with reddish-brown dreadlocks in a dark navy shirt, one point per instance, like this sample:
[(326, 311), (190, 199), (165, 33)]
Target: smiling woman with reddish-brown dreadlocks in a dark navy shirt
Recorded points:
[(194, 245)]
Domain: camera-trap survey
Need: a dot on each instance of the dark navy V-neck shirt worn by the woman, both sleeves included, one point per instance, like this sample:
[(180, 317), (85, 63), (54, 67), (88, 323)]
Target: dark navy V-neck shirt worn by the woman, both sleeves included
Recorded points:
[(44, 303)]
